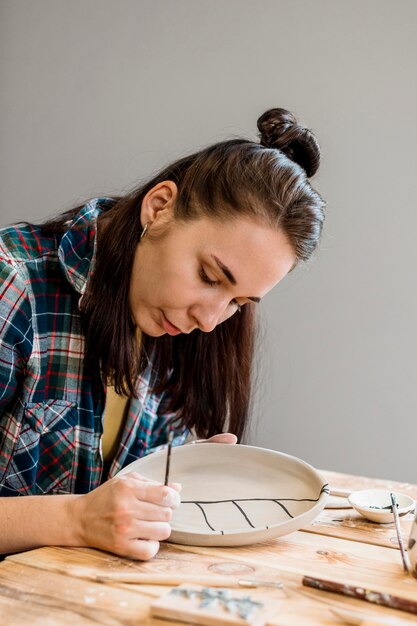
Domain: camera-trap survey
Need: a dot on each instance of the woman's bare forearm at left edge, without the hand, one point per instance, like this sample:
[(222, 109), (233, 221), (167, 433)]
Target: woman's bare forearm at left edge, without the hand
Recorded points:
[(28, 522)]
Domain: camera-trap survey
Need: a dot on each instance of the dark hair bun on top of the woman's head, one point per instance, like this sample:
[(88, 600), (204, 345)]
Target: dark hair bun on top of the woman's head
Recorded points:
[(279, 129)]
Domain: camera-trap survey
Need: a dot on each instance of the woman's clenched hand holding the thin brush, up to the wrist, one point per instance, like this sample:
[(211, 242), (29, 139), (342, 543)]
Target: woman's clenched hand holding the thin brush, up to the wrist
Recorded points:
[(128, 515)]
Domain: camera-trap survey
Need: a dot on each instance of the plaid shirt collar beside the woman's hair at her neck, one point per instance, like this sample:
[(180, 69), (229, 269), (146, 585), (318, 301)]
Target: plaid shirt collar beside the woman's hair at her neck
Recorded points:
[(77, 249)]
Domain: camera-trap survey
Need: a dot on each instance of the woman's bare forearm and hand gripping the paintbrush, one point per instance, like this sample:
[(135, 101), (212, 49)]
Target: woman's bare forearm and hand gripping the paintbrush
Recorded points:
[(128, 515)]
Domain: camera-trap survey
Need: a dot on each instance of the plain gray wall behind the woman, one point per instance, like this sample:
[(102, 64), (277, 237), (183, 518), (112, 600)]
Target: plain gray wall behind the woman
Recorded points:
[(98, 94)]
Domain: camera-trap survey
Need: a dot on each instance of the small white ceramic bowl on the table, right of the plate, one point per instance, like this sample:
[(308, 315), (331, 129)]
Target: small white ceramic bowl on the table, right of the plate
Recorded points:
[(375, 504)]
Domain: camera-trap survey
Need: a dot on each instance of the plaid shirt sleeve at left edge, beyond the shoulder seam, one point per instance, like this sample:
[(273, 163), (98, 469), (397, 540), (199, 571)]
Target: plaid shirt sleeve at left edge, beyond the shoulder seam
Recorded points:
[(16, 334)]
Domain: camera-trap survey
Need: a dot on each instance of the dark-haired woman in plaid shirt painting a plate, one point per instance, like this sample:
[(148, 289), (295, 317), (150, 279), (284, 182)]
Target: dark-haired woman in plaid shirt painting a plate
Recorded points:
[(133, 316)]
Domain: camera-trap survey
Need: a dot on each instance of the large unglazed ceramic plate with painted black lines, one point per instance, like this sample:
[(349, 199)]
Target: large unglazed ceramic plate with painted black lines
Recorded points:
[(235, 495)]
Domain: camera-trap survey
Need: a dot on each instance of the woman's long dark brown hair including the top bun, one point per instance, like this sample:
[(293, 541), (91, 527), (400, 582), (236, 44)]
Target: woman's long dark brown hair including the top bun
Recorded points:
[(208, 375)]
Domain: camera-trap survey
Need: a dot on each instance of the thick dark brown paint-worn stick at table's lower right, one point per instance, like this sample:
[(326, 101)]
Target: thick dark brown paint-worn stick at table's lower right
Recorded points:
[(375, 597)]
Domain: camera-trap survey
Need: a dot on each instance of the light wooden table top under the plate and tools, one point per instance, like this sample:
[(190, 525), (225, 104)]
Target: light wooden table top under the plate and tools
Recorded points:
[(339, 545)]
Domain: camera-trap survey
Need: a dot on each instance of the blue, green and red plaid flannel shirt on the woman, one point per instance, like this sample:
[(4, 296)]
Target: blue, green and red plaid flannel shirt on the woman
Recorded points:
[(51, 405)]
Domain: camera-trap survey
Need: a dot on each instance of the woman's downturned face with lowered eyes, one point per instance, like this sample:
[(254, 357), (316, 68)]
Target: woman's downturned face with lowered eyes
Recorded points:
[(197, 274)]
